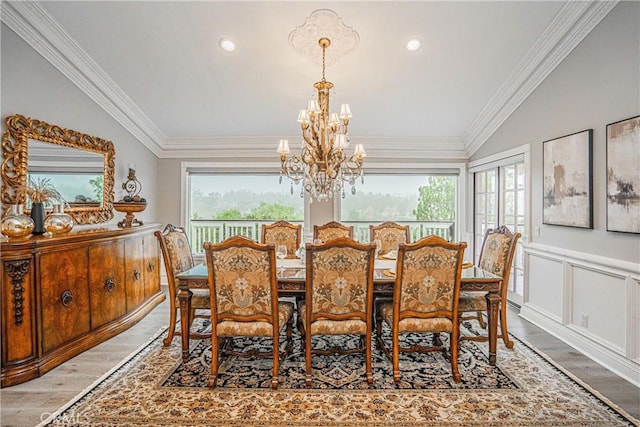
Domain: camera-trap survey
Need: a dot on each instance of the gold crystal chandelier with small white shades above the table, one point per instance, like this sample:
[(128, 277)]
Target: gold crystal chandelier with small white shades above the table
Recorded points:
[(322, 167)]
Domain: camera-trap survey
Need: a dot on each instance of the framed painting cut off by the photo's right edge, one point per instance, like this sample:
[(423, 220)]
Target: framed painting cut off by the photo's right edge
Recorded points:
[(623, 177)]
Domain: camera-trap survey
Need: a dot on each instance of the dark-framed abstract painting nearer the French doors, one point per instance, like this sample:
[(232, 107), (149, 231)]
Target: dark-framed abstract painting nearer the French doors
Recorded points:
[(568, 180)]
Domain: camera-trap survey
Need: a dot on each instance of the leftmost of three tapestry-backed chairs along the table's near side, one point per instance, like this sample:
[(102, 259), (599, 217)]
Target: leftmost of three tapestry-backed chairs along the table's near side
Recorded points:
[(244, 301)]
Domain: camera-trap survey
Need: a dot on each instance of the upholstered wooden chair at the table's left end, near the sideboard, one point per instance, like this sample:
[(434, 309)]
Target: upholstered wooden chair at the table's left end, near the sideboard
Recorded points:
[(177, 257)]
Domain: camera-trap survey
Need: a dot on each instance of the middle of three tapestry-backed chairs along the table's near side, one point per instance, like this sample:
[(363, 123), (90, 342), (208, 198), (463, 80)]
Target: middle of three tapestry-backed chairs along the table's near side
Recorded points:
[(339, 298)]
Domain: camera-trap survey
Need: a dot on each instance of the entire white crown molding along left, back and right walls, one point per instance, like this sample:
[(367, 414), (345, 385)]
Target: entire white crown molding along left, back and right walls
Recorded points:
[(569, 27)]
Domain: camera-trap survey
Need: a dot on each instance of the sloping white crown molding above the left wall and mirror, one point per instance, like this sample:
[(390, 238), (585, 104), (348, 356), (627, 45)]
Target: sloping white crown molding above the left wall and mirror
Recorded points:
[(36, 27)]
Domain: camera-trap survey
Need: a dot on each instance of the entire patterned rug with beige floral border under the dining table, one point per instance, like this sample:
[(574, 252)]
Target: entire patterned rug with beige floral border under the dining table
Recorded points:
[(153, 388)]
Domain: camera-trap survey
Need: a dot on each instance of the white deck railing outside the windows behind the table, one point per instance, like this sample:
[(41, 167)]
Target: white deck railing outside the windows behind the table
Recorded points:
[(215, 231)]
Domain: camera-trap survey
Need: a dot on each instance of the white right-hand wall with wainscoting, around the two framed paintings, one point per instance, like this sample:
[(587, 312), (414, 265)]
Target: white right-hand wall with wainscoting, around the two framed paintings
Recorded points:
[(570, 272)]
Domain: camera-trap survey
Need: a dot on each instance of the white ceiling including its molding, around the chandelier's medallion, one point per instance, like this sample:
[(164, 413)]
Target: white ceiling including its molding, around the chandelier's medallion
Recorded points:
[(156, 68)]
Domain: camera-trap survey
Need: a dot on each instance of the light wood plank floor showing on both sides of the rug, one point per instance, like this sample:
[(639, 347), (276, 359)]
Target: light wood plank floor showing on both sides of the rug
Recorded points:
[(26, 404)]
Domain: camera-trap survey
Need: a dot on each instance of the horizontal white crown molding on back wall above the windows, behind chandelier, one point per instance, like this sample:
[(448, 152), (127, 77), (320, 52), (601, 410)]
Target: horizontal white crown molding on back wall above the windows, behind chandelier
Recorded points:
[(265, 147)]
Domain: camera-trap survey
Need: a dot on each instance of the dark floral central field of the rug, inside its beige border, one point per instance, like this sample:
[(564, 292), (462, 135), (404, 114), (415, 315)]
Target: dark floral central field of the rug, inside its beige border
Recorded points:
[(343, 372)]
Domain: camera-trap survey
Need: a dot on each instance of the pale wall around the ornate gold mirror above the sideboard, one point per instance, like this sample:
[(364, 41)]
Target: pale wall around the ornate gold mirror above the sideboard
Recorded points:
[(34, 88)]
